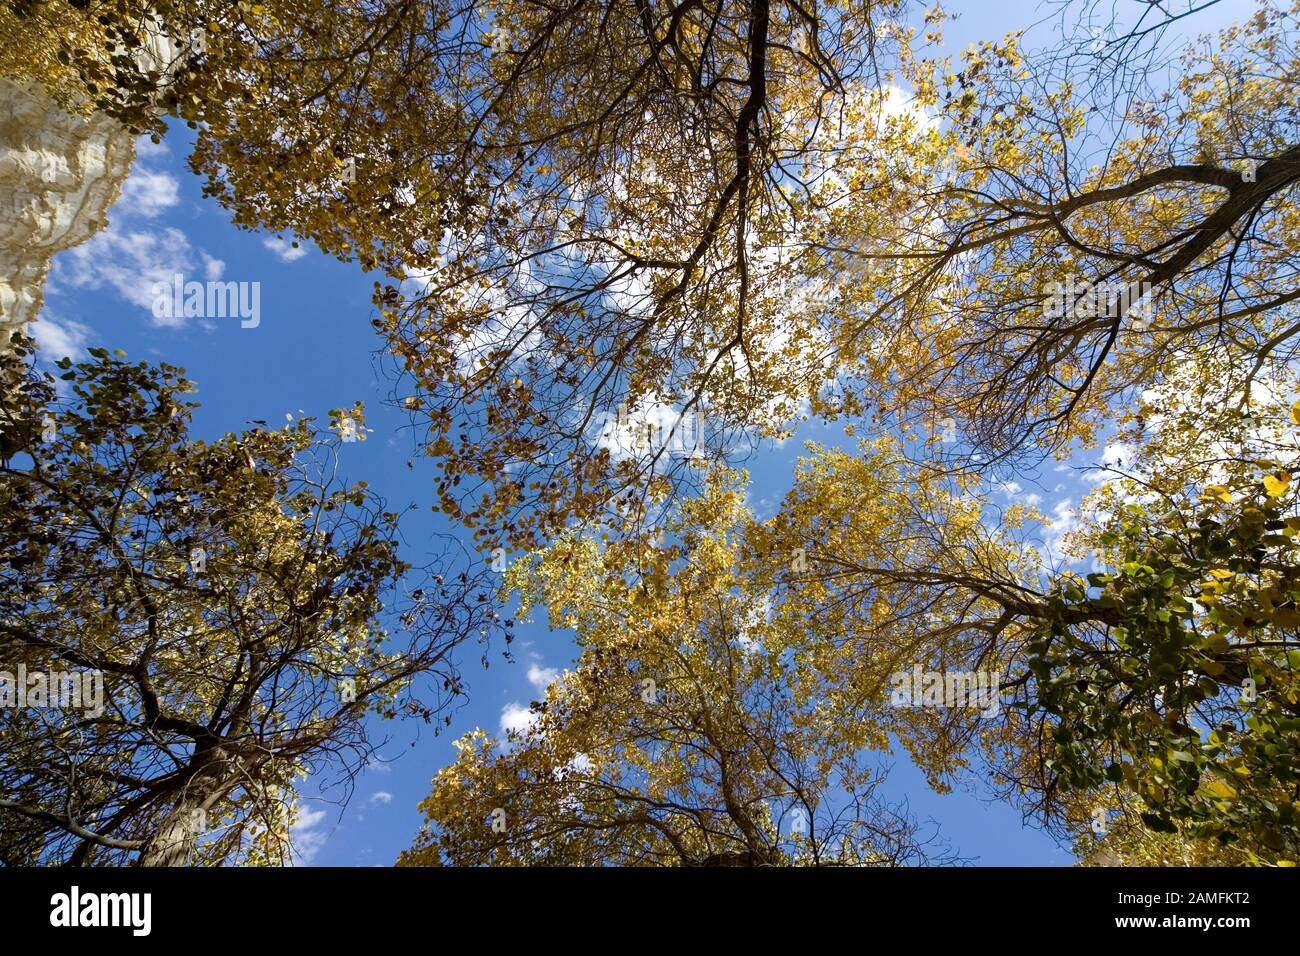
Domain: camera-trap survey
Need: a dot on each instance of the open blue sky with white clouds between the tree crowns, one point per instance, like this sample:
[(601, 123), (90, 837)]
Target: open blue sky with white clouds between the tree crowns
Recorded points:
[(314, 351)]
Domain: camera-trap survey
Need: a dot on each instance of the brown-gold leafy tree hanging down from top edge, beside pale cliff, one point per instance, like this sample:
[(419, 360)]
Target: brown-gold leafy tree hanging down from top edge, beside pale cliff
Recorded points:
[(575, 200)]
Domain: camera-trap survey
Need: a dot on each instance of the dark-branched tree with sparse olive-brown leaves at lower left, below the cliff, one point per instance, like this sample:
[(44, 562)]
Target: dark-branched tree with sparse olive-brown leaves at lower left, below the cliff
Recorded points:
[(233, 602)]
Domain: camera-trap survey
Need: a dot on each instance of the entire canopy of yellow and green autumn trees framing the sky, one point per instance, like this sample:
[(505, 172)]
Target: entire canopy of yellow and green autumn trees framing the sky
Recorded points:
[(618, 245)]
